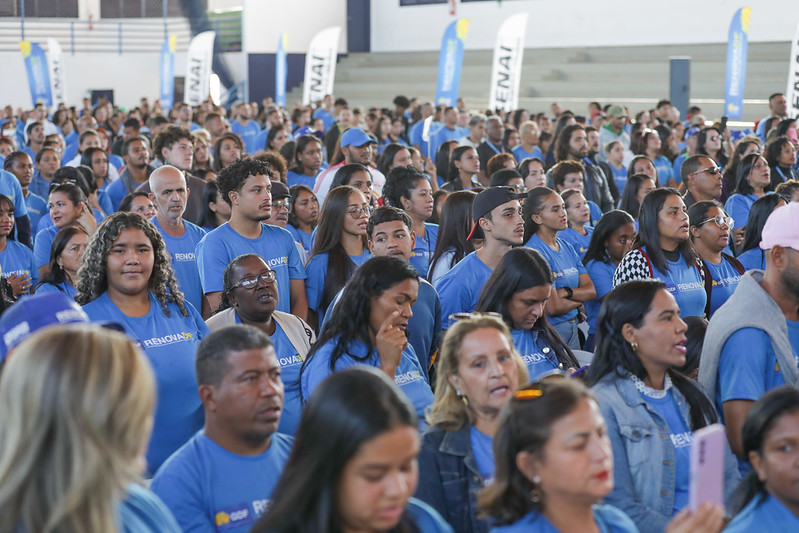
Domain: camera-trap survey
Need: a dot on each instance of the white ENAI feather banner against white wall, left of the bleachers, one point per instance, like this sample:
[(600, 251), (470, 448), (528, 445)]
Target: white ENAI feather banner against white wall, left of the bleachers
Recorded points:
[(320, 65)]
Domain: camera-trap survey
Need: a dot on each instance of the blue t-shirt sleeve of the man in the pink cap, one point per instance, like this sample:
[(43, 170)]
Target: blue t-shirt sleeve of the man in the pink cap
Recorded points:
[(742, 366)]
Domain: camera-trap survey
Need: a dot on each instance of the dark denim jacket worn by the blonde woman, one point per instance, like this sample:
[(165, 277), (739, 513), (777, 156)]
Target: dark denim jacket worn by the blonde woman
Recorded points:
[(449, 478)]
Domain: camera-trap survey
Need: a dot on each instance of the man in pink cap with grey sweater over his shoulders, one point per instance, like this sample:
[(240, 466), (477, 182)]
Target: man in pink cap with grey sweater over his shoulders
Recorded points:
[(752, 341)]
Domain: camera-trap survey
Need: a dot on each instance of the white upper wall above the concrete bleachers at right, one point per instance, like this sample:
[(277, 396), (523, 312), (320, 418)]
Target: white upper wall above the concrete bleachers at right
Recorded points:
[(559, 24)]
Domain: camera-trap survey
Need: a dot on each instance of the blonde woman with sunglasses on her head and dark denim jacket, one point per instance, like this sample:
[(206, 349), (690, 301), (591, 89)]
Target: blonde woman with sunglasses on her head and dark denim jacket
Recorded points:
[(478, 371)]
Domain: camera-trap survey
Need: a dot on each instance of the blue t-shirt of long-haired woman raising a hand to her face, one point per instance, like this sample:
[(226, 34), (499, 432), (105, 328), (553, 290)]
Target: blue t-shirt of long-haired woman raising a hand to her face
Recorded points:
[(410, 377)]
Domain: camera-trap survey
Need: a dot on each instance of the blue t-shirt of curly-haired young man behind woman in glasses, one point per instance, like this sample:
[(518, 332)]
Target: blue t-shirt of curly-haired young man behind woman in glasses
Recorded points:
[(275, 245)]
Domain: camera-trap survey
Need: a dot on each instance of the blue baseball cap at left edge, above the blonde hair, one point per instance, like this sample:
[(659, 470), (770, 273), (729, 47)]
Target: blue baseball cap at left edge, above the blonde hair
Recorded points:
[(33, 313)]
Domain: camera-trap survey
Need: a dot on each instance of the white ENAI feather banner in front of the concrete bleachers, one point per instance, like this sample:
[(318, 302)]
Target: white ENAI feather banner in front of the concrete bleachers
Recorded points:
[(506, 68)]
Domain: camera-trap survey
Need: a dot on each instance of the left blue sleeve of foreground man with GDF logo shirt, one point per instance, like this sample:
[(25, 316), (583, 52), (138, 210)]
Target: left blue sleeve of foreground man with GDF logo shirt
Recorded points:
[(179, 485)]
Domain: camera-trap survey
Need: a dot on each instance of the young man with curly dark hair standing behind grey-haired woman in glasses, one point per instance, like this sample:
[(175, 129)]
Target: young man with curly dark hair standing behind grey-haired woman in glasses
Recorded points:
[(246, 187)]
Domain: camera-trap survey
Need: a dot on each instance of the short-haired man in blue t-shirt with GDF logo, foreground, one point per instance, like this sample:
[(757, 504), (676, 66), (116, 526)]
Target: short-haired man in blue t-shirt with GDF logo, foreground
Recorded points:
[(221, 480)]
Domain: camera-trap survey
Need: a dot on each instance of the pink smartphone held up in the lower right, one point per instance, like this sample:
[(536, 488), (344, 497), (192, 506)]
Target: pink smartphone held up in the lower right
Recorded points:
[(707, 467)]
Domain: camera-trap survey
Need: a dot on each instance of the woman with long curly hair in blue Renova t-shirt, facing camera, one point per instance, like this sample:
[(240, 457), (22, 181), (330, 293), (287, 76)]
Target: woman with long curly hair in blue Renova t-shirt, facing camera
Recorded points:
[(126, 277)]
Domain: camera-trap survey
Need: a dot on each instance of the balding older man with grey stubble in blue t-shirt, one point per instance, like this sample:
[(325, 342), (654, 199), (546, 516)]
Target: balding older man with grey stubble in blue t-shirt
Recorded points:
[(169, 194)]
